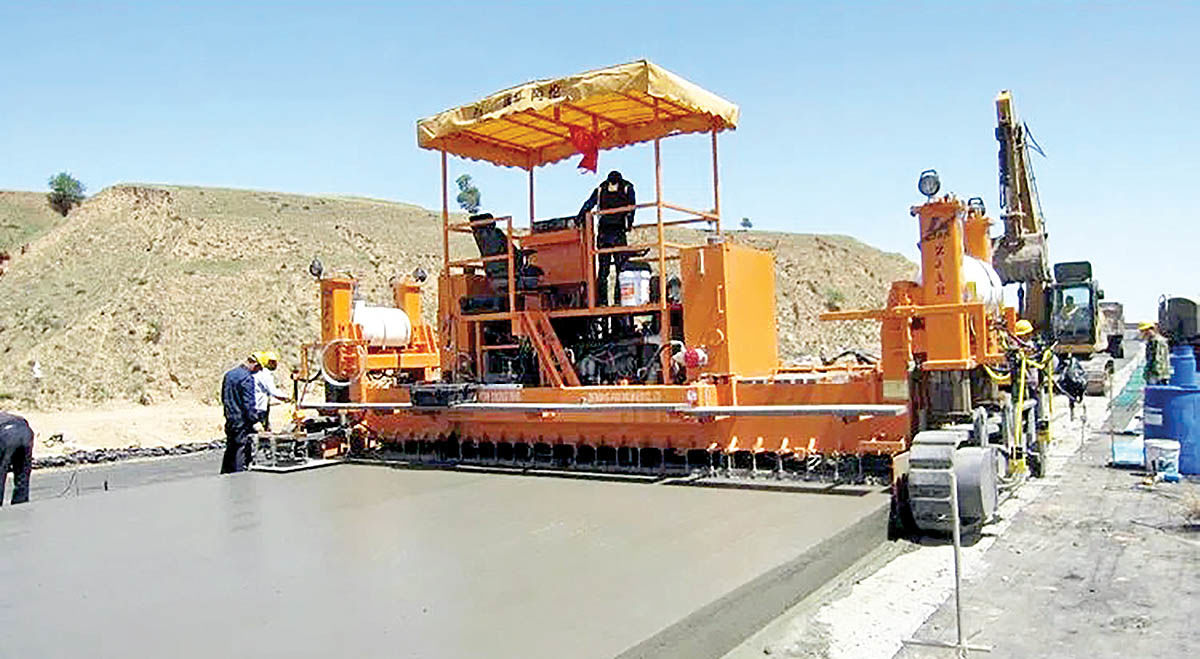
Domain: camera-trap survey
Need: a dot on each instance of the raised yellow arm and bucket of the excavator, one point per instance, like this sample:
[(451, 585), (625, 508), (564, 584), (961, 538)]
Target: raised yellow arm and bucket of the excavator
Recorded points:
[(1022, 255)]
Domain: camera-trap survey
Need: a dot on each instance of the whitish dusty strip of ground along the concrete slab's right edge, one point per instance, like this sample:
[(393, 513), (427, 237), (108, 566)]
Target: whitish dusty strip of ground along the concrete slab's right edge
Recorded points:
[(869, 613)]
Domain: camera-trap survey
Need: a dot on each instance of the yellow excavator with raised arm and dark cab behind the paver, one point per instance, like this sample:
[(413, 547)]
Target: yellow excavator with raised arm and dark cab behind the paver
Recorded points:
[(1063, 303)]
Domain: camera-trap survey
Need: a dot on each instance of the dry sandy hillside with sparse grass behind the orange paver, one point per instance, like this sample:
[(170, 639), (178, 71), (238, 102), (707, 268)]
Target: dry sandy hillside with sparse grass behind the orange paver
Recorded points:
[(149, 292)]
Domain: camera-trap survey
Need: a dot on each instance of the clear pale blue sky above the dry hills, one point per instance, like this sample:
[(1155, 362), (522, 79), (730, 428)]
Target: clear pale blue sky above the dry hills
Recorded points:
[(843, 105)]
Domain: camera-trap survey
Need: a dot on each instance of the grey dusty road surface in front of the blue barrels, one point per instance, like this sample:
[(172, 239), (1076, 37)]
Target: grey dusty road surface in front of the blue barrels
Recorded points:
[(1101, 567)]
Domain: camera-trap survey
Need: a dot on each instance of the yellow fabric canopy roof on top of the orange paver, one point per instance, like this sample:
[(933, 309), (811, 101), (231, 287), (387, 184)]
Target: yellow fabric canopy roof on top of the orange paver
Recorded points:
[(531, 125)]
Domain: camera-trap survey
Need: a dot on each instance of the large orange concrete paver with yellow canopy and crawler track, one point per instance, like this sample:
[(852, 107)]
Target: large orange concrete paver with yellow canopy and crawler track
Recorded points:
[(531, 367)]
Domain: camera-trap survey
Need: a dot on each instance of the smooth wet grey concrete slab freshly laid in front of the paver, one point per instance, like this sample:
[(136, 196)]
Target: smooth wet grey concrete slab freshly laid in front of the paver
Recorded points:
[(361, 561)]
